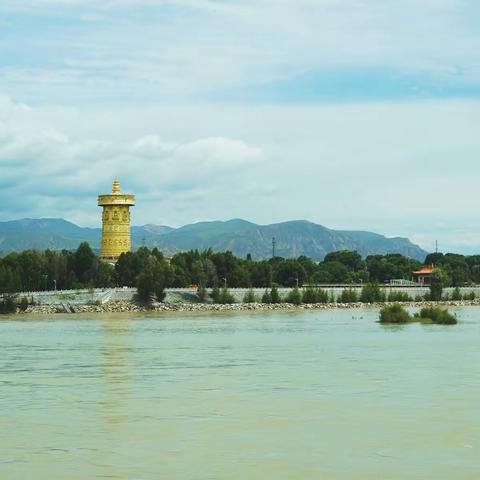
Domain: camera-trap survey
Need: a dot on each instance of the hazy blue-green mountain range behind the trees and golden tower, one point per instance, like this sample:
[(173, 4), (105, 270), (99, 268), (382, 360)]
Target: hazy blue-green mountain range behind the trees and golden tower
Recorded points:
[(293, 238)]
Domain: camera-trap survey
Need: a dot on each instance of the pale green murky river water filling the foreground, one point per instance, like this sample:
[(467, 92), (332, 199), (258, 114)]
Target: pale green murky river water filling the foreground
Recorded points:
[(280, 395)]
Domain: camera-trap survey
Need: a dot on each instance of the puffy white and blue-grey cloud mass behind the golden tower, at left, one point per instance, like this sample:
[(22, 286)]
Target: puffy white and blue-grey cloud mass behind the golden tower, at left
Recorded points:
[(53, 173)]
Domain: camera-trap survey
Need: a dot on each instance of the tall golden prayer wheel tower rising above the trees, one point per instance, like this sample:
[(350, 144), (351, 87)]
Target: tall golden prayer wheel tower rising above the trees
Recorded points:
[(115, 223)]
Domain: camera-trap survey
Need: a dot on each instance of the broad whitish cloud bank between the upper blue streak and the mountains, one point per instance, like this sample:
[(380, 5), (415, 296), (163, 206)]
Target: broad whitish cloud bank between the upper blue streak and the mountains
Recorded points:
[(401, 169)]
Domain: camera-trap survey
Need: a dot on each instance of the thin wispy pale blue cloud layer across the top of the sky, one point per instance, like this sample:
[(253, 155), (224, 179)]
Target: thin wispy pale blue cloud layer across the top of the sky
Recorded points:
[(66, 50)]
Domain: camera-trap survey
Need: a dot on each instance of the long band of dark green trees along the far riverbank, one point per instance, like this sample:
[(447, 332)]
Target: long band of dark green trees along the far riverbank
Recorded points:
[(148, 269)]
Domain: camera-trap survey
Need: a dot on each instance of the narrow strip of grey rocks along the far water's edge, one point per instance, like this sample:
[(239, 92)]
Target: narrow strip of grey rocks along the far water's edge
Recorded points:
[(118, 307)]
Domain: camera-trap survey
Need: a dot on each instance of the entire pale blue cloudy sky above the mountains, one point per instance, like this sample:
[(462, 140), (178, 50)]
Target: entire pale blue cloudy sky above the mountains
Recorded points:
[(354, 114)]
